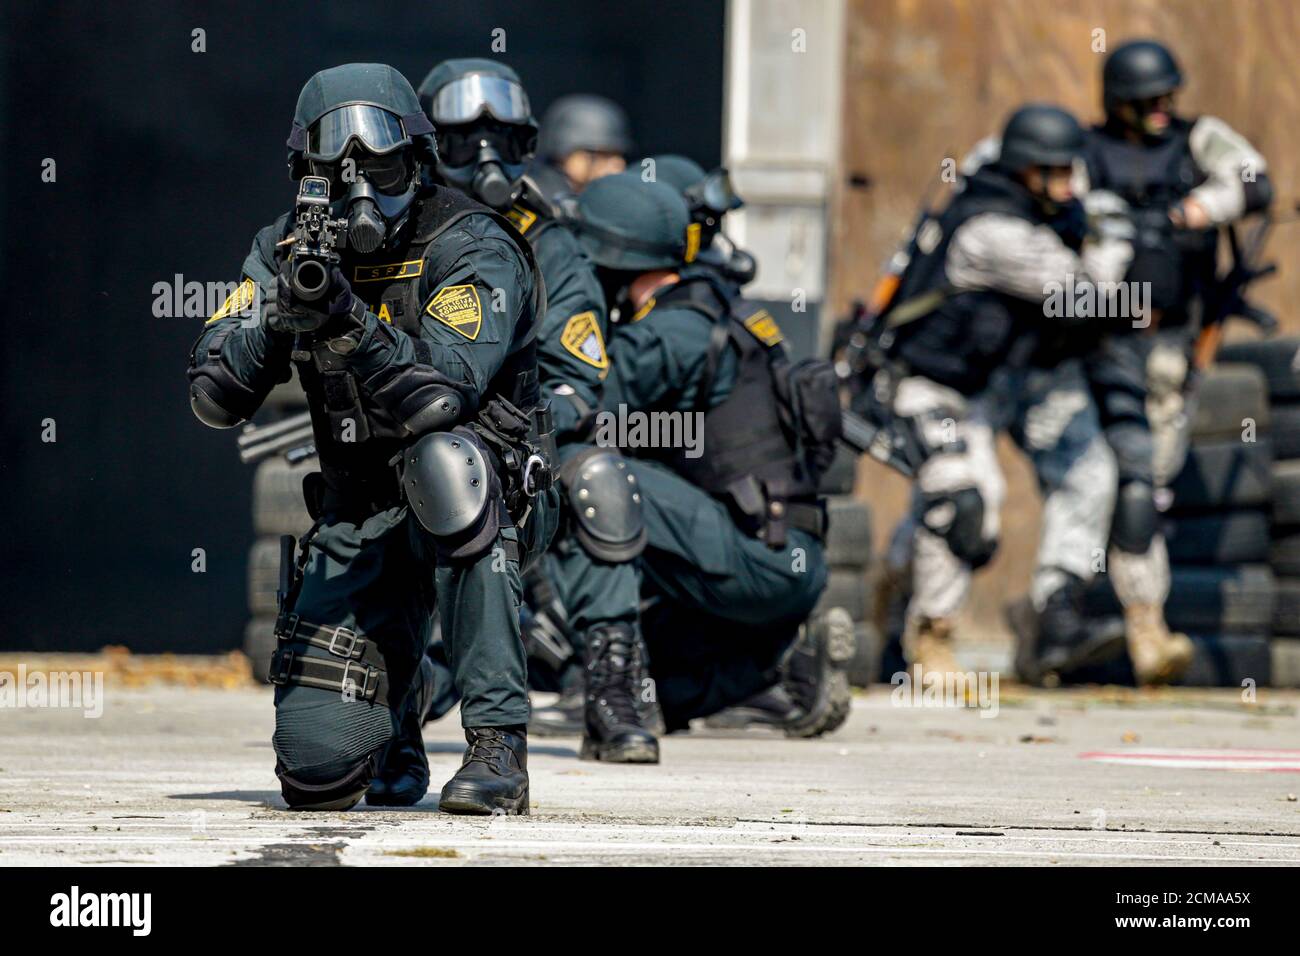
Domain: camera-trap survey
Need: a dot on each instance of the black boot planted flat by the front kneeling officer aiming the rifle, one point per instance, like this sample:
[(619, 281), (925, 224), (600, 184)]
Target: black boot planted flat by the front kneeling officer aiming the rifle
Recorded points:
[(493, 778)]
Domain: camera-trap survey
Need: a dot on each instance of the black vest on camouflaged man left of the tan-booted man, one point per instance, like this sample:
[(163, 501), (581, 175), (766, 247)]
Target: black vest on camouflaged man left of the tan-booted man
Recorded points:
[(964, 336)]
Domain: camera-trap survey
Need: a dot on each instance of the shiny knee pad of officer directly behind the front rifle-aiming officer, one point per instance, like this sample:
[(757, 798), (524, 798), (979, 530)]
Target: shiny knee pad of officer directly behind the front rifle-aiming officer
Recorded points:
[(605, 505)]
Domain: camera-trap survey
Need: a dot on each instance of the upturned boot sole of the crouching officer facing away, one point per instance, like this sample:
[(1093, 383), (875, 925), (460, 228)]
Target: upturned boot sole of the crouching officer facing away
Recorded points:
[(814, 674)]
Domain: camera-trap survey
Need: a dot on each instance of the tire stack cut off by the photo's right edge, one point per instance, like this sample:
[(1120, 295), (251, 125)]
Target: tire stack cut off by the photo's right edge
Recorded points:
[(1279, 362)]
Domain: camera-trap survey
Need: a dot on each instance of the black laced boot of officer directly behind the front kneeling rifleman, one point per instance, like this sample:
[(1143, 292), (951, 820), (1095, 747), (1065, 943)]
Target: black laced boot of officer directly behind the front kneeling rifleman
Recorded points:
[(616, 726)]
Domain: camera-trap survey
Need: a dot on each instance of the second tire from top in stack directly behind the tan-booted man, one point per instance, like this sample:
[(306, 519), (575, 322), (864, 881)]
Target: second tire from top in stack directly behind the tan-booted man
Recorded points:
[(1224, 475)]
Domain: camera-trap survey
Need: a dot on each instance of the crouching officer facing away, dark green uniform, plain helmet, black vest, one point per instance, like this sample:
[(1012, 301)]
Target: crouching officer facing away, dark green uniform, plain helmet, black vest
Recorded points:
[(734, 559)]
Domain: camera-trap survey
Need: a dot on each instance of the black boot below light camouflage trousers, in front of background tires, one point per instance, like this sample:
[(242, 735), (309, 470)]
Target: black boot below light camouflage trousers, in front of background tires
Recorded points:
[(1059, 641)]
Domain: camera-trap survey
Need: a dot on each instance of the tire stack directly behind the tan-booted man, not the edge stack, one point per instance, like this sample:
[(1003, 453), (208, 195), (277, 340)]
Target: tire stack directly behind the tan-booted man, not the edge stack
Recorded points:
[(1217, 530)]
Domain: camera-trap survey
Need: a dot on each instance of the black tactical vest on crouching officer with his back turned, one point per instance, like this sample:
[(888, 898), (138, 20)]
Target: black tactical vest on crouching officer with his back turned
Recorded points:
[(751, 449)]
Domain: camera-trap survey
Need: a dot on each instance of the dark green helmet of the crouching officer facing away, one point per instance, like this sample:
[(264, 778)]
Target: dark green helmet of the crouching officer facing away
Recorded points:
[(629, 224)]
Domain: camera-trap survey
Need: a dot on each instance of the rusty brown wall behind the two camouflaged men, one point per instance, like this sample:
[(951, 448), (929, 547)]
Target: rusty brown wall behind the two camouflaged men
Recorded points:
[(926, 79)]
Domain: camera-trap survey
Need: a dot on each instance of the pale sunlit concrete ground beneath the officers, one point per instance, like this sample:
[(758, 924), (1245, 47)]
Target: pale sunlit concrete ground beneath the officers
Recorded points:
[(172, 776)]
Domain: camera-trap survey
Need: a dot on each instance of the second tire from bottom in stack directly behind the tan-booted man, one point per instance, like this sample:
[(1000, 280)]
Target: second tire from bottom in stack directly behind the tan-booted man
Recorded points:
[(1206, 600)]
